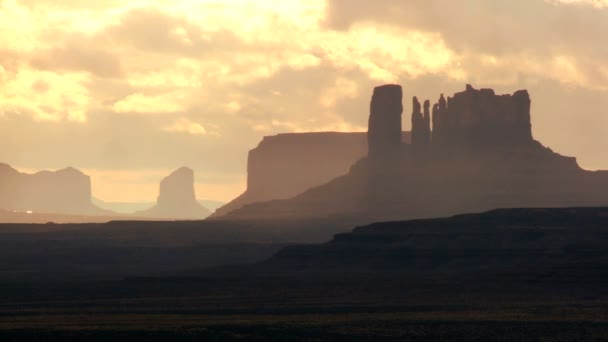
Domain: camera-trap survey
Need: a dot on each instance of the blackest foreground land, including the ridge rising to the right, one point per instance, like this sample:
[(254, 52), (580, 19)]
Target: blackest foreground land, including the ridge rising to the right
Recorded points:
[(509, 274)]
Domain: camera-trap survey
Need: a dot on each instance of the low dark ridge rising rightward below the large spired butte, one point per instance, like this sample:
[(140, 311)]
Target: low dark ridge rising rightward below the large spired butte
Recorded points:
[(556, 244)]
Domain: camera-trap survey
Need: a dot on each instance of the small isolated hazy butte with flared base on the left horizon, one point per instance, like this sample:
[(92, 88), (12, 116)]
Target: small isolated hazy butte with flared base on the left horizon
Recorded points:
[(177, 199)]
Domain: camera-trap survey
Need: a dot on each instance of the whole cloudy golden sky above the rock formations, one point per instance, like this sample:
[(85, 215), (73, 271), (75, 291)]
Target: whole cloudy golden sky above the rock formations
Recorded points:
[(128, 91)]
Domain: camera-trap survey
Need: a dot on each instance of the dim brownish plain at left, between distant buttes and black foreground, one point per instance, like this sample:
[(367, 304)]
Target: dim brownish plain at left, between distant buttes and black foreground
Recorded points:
[(97, 252)]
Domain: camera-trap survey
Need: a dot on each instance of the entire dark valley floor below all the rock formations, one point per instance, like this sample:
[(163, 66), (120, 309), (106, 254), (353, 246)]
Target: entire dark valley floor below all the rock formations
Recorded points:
[(516, 274)]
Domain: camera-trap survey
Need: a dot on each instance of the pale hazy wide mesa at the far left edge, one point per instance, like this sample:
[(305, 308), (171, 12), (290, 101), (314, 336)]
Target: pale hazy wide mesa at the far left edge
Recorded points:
[(67, 191)]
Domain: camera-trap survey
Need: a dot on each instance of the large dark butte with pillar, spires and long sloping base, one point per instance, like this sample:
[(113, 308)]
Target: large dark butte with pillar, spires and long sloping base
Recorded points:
[(481, 156)]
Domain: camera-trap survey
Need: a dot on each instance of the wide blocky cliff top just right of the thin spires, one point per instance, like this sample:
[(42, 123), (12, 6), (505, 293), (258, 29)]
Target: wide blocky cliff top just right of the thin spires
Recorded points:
[(481, 118)]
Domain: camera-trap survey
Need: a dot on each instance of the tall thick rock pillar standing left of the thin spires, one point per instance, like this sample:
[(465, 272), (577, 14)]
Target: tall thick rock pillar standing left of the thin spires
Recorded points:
[(384, 130)]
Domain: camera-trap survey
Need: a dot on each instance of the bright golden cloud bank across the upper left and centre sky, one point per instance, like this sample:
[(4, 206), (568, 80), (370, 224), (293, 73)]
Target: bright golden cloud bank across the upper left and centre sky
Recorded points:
[(181, 48)]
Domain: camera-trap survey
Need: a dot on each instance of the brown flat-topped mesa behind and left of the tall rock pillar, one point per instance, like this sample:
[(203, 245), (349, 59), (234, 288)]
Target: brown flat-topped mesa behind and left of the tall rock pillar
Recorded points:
[(285, 165)]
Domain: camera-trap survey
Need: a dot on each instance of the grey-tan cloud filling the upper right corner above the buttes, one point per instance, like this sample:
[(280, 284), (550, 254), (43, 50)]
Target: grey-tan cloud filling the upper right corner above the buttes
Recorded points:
[(562, 45)]
